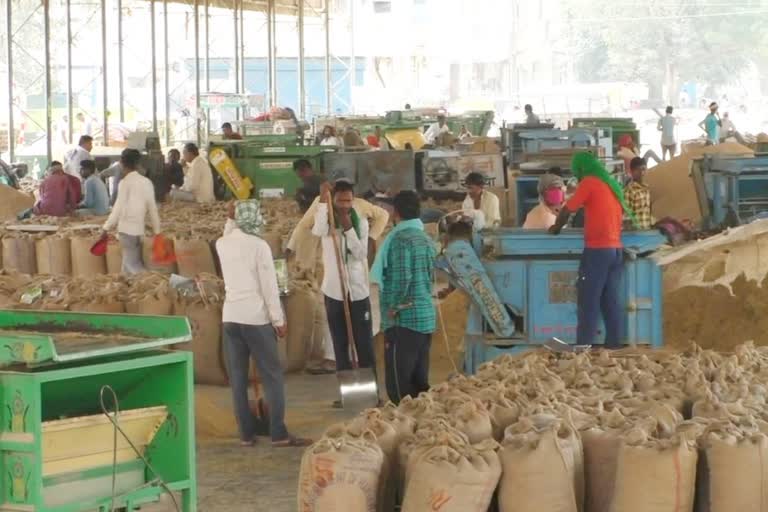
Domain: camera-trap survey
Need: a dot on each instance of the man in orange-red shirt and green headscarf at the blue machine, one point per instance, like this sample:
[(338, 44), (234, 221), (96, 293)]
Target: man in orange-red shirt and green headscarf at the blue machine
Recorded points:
[(602, 262)]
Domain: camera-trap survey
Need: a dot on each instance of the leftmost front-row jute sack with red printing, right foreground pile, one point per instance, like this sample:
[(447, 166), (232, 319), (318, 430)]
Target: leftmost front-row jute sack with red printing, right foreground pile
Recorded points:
[(340, 474)]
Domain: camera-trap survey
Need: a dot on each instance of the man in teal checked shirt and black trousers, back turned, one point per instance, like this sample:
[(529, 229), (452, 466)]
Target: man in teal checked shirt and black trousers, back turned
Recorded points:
[(404, 269)]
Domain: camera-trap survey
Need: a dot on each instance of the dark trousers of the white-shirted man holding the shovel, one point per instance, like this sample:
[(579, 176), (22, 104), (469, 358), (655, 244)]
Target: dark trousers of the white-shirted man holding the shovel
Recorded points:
[(362, 330)]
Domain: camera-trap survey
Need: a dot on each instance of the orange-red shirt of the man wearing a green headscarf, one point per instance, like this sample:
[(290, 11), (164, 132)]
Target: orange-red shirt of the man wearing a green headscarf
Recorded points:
[(603, 213)]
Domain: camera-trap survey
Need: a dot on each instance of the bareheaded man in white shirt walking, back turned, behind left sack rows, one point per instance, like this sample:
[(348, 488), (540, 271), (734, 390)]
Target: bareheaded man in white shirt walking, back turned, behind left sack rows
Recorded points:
[(135, 202)]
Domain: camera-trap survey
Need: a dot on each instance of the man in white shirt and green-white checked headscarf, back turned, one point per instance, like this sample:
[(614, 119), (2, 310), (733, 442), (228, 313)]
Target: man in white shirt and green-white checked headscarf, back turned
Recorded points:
[(253, 319)]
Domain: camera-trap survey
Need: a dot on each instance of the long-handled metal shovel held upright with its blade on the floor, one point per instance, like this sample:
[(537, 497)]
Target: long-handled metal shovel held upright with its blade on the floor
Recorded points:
[(358, 387)]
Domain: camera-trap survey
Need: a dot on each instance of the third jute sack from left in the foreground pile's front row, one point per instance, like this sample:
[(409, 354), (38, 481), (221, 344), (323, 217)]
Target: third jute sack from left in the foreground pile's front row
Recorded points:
[(543, 469)]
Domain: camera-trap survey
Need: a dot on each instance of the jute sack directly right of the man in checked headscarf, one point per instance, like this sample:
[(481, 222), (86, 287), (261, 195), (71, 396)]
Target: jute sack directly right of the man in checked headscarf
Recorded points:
[(300, 309)]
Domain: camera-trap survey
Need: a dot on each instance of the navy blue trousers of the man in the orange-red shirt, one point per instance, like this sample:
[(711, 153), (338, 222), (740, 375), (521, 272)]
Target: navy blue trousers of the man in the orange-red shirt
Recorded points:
[(598, 292)]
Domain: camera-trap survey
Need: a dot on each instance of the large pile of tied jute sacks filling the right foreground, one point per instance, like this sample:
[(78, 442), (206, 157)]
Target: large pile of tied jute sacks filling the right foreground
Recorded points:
[(627, 431)]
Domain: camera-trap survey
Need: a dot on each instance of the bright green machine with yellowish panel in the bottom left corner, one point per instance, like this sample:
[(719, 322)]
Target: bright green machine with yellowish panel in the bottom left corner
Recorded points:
[(95, 414)]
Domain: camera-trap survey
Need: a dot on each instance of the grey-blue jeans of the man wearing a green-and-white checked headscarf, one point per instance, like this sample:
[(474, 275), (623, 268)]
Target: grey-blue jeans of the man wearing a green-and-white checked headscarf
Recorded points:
[(259, 342)]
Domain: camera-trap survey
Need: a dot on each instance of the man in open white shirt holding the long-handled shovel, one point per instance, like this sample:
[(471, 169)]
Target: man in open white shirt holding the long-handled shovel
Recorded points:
[(352, 234)]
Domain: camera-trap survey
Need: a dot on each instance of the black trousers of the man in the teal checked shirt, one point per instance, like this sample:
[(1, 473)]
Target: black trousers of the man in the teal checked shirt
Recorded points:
[(406, 356)]
